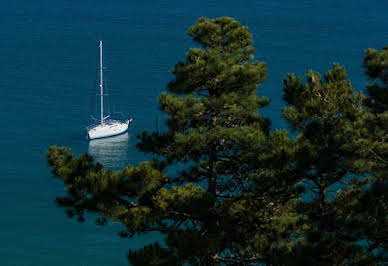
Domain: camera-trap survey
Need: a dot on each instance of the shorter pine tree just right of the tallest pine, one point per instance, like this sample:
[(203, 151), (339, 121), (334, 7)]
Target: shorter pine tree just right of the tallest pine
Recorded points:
[(336, 154)]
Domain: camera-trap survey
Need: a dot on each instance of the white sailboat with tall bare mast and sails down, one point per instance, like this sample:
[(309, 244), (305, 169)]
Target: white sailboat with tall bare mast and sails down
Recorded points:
[(107, 127)]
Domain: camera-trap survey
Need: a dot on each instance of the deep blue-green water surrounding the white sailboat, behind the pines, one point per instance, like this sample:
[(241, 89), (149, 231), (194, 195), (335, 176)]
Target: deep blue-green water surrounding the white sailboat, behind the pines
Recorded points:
[(48, 60)]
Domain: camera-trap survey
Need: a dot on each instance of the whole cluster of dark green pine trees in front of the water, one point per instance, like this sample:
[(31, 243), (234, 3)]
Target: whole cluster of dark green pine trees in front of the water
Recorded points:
[(243, 193)]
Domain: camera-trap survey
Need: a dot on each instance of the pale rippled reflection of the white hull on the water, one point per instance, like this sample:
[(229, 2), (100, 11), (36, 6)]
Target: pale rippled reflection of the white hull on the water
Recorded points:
[(112, 152)]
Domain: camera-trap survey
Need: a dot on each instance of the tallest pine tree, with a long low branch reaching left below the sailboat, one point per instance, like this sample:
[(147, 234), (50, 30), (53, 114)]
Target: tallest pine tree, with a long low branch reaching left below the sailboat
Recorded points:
[(232, 197)]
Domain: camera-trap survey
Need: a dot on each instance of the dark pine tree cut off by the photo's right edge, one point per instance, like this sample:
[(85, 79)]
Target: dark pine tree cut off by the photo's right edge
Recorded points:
[(373, 204)]
